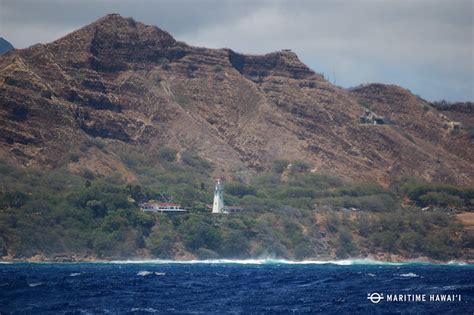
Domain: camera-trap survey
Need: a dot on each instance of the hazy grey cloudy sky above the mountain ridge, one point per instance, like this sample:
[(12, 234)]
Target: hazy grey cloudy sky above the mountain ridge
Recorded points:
[(426, 46)]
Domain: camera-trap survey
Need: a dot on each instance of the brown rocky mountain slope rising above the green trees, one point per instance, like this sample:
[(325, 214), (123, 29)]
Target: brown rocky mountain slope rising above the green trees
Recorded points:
[(135, 86)]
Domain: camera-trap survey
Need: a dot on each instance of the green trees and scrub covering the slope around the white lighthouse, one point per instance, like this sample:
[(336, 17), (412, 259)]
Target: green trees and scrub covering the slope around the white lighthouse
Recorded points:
[(295, 214)]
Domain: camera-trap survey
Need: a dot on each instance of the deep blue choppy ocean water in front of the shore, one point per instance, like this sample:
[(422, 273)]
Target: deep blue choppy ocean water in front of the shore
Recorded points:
[(226, 287)]
